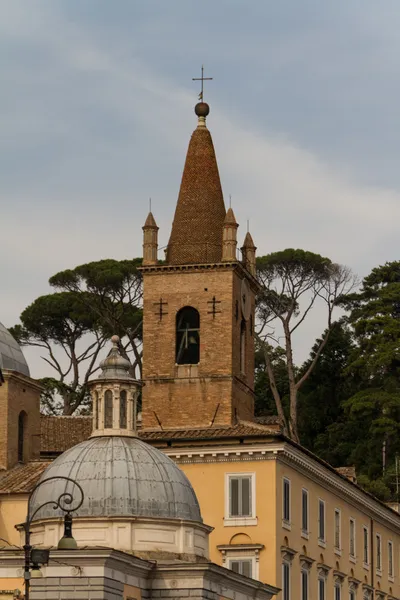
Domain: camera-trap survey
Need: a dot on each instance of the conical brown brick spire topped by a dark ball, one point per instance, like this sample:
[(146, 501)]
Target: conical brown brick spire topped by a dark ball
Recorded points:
[(196, 235)]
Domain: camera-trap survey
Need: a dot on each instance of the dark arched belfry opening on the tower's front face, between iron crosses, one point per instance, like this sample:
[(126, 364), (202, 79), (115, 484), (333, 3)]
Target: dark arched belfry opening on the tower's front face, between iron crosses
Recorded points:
[(187, 336)]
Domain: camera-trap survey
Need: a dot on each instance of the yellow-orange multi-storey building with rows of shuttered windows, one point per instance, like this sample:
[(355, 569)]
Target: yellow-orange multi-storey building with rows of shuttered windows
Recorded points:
[(281, 515)]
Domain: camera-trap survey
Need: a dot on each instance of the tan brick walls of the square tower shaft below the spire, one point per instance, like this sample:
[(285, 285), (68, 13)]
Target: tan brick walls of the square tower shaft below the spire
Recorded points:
[(182, 396)]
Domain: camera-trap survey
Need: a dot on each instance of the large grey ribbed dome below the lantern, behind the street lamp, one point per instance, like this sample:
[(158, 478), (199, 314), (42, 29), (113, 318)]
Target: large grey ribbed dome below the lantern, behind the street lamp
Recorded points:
[(120, 476)]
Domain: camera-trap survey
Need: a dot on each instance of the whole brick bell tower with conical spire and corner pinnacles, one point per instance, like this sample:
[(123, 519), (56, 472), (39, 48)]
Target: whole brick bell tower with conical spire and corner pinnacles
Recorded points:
[(198, 307)]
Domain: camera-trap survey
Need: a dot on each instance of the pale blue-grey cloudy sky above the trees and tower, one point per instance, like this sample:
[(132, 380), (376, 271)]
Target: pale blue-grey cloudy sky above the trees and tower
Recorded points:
[(96, 111)]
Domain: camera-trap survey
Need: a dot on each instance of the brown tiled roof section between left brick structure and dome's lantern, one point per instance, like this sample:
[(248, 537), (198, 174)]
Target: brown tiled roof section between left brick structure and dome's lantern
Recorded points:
[(60, 433)]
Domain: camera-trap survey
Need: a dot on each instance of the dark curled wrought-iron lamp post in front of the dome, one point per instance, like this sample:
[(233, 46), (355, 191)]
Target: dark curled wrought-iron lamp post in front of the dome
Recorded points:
[(65, 502)]
